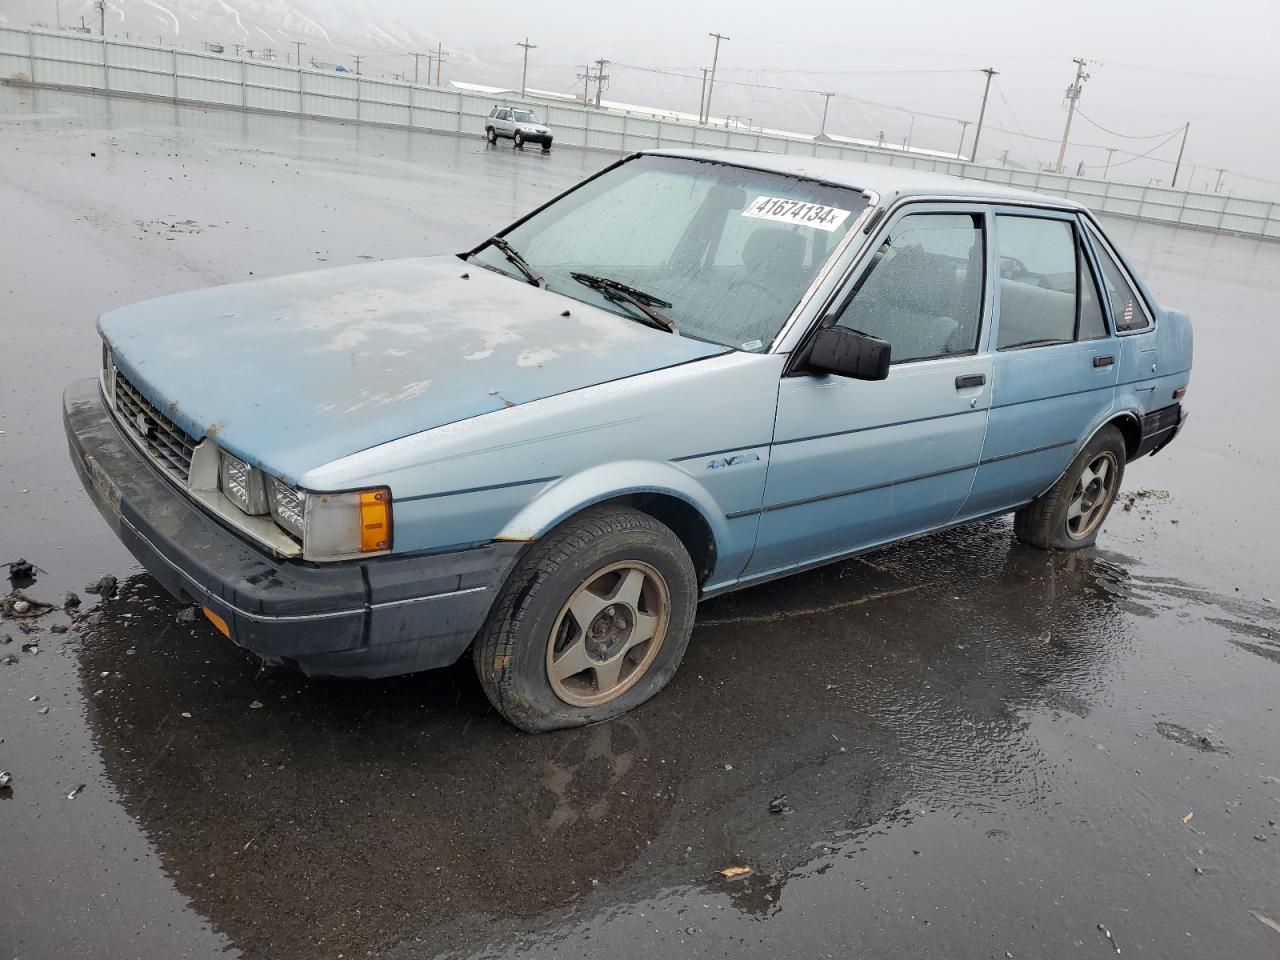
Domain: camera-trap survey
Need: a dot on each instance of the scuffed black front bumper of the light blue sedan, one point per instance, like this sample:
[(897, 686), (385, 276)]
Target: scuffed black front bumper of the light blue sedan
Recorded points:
[(363, 619)]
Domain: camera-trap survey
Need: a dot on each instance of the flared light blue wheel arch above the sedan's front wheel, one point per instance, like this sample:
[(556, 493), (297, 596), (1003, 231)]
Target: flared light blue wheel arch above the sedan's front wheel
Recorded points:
[(575, 493)]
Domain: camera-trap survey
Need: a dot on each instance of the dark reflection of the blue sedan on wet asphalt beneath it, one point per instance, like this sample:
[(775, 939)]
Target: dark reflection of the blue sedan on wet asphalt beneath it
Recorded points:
[(355, 815)]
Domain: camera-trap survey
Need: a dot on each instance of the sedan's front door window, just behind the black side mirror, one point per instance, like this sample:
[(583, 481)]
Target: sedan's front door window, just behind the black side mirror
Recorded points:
[(924, 290)]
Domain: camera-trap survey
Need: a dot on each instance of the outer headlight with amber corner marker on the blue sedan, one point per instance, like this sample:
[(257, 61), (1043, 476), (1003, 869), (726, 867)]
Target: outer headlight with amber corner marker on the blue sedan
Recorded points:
[(335, 525)]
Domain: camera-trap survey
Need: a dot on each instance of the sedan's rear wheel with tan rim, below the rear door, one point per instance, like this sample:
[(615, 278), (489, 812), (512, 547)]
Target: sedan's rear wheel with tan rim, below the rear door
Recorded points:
[(1072, 513)]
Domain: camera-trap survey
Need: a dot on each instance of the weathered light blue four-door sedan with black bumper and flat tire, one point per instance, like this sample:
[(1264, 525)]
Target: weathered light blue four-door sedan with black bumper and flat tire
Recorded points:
[(692, 373)]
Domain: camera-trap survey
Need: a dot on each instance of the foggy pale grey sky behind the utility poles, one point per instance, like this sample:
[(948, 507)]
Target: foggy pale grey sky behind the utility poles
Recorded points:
[(1154, 66)]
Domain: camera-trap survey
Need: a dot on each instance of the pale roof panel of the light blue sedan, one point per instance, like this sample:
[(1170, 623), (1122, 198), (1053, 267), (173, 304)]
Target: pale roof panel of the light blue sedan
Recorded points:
[(885, 181)]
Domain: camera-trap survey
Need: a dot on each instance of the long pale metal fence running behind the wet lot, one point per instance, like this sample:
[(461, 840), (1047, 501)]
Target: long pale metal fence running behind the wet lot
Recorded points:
[(74, 61)]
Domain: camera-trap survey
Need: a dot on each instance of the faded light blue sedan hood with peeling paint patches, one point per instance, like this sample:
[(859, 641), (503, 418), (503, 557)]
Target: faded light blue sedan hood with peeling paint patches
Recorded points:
[(296, 372)]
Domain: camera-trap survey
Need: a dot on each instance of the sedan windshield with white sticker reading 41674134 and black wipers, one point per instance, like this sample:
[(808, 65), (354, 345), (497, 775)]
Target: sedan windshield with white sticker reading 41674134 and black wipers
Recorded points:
[(732, 250)]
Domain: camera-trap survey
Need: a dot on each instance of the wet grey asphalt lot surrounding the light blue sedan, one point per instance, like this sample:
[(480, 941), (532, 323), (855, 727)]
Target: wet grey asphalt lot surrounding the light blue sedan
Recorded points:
[(977, 749)]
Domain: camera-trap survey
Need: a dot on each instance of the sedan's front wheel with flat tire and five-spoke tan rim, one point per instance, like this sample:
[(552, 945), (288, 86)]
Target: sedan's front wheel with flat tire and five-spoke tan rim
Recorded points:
[(624, 574)]
